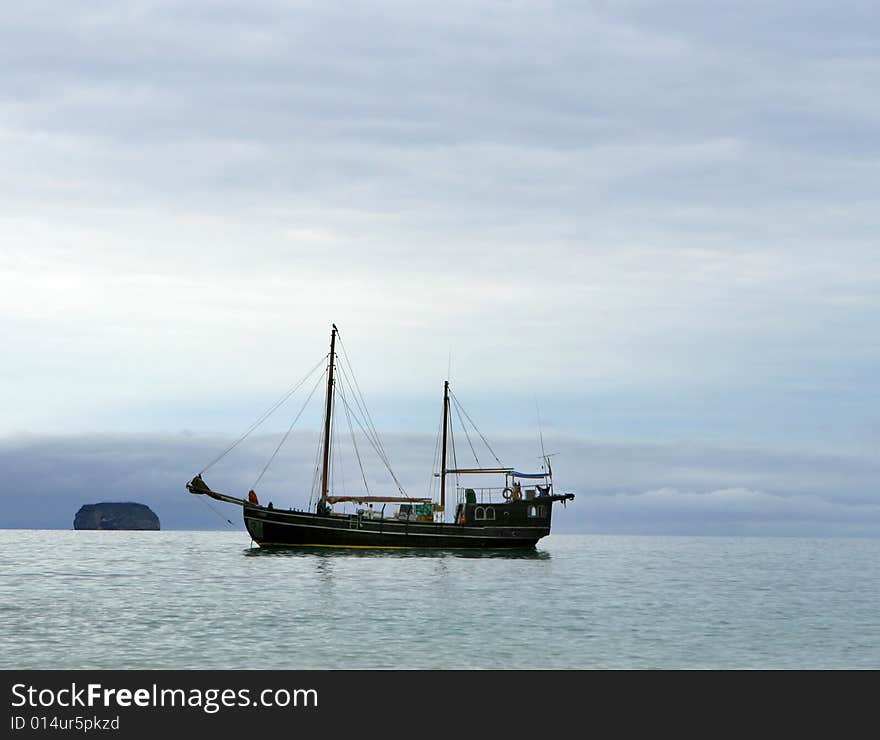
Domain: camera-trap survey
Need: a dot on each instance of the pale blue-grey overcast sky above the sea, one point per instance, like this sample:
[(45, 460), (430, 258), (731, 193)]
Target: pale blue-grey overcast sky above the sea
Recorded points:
[(659, 219)]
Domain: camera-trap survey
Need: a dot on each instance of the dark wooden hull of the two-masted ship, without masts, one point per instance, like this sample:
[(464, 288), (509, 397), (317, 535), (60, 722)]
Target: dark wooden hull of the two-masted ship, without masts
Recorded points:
[(513, 528)]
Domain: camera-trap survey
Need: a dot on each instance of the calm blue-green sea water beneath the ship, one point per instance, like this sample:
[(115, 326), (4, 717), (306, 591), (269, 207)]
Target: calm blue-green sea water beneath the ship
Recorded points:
[(198, 600)]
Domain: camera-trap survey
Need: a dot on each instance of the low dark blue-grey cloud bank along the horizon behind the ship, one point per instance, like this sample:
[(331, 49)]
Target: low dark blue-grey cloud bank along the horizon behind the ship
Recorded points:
[(620, 488)]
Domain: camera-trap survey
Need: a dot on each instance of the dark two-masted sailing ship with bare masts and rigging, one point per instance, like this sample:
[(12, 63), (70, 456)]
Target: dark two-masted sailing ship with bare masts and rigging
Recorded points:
[(514, 515)]
